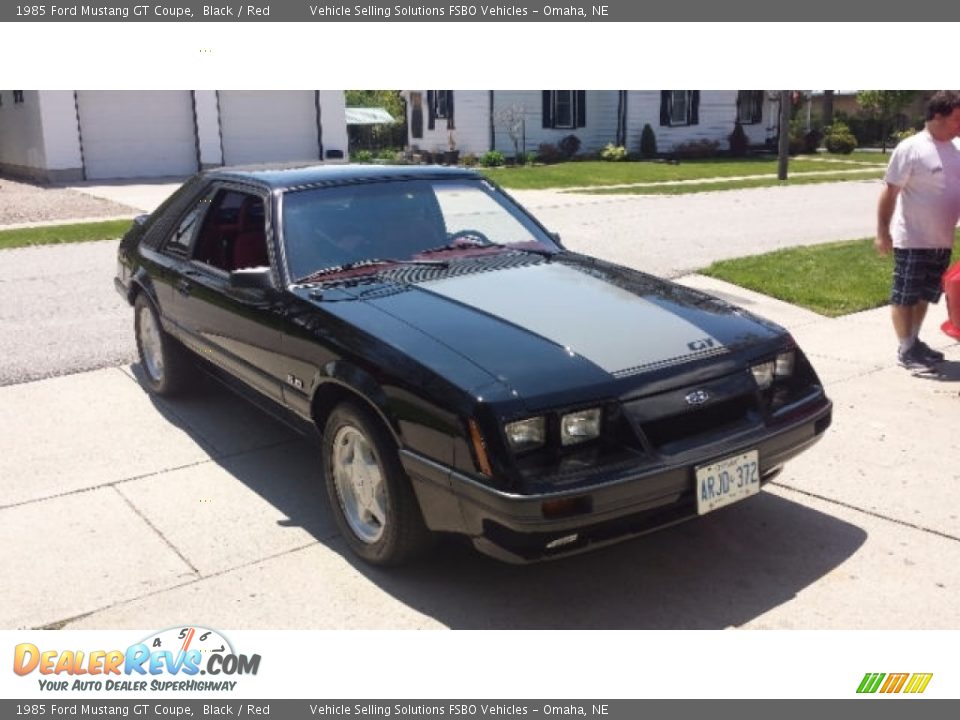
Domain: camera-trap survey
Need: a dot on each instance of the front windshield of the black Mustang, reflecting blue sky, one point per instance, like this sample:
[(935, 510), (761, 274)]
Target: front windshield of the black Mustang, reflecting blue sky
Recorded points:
[(400, 220)]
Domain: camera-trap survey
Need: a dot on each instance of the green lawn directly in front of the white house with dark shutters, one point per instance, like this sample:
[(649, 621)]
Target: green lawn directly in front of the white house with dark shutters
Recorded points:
[(599, 173)]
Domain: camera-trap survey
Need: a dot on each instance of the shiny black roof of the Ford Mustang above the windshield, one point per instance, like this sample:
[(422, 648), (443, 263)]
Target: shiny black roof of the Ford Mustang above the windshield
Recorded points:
[(288, 176)]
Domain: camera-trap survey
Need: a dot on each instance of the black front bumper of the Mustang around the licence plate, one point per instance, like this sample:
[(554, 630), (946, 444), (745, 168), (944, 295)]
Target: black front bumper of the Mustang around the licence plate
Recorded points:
[(629, 503)]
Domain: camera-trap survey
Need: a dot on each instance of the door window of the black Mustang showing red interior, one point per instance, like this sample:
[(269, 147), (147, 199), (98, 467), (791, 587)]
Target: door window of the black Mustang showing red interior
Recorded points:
[(234, 232)]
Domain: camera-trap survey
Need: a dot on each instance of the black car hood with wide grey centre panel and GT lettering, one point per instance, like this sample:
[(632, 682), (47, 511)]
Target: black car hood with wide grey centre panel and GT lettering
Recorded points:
[(541, 326)]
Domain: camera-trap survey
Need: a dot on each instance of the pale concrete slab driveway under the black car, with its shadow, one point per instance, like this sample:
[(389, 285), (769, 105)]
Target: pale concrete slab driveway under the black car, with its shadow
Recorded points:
[(124, 511)]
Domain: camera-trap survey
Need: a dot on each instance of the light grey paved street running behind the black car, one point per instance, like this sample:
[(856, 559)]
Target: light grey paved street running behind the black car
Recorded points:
[(59, 313)]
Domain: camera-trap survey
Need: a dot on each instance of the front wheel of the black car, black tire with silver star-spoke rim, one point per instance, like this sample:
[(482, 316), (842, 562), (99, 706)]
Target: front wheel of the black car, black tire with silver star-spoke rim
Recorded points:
[(373, 502)]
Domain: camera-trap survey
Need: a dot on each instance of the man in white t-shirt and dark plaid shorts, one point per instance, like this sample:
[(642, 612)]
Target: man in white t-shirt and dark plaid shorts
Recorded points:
[(916, 218)]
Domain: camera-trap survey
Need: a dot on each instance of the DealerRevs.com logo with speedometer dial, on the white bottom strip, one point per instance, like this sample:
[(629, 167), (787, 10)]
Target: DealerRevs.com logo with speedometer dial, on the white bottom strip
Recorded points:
[(171, 659)]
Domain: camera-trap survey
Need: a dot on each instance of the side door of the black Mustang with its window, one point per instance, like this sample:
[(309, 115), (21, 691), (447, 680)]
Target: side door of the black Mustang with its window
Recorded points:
[(237, 329)]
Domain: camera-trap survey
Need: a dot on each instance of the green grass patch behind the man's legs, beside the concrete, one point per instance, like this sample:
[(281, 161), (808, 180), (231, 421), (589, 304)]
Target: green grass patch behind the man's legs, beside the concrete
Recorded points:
[(833, 279)]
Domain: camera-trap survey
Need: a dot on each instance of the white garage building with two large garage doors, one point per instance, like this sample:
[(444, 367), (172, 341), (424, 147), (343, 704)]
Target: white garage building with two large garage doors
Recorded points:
[(69, 135)]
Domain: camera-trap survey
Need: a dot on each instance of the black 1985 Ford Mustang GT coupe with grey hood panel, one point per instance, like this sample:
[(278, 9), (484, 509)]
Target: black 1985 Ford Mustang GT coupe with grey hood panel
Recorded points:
[(465, 372)]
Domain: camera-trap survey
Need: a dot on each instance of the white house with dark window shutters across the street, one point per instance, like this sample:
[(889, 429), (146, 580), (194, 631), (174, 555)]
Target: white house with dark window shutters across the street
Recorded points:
[(475, 121)]
